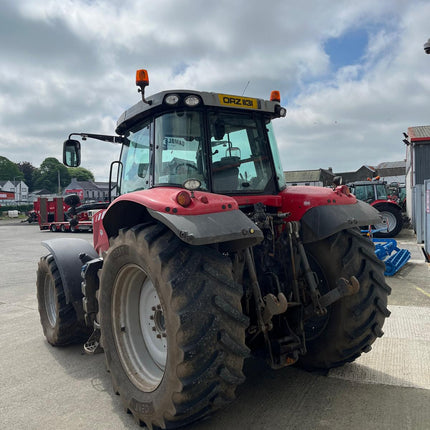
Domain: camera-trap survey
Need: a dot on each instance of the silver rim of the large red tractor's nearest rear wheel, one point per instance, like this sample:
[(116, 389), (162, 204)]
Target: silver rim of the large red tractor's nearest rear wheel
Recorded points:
[(139, 328)]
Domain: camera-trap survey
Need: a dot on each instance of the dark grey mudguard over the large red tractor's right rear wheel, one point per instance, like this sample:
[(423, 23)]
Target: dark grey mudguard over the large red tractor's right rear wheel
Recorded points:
[(320, 222)]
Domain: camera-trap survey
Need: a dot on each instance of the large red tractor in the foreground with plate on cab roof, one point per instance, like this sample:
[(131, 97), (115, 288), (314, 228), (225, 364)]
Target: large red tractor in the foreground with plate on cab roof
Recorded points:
[(206, 258)]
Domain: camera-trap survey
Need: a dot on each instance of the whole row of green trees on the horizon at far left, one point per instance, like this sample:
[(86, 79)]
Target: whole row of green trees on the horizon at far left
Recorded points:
[(44, 177)]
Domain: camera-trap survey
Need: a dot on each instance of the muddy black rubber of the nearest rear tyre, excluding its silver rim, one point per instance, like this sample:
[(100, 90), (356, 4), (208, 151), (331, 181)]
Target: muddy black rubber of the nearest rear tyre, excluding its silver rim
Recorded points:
[(210, 335)]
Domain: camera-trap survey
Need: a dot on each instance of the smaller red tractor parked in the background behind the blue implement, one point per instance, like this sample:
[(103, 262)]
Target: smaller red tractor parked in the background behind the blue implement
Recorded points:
[(376, 194)]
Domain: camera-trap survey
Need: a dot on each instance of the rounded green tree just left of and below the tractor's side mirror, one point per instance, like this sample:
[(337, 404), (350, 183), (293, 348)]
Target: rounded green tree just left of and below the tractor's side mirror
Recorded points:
[(50, 172)]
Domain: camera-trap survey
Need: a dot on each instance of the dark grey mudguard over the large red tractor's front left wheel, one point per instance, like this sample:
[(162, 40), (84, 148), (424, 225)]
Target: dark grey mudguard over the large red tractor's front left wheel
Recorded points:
[(66, 254)]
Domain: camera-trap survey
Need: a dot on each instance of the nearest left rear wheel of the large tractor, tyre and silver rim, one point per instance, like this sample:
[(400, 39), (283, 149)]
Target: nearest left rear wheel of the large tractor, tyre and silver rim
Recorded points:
[(172, 326)]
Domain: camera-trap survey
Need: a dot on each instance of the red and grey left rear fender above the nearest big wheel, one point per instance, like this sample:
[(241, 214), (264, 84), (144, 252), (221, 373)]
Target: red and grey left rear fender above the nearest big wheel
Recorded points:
[(210, 218)]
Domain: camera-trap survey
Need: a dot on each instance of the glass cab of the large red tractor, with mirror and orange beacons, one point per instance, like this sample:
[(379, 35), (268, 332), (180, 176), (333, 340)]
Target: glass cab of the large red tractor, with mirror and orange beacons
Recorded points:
[(196, 140)]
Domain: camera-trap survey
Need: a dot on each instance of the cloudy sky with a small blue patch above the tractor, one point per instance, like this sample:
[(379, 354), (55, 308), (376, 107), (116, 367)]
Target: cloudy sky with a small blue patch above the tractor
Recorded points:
[(352, 74)]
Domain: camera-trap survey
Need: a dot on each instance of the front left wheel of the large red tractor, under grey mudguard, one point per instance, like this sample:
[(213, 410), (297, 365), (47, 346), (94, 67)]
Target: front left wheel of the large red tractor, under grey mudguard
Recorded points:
[(58, 318)]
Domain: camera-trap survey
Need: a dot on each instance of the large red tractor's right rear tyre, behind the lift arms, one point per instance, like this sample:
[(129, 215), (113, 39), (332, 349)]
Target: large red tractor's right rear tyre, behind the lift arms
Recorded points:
[(354, 322)]
